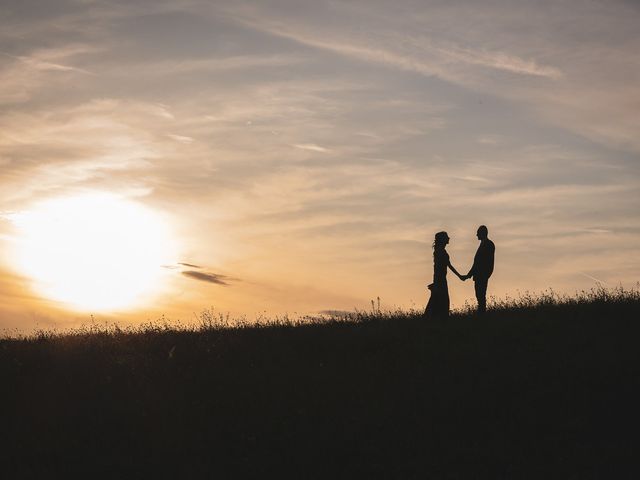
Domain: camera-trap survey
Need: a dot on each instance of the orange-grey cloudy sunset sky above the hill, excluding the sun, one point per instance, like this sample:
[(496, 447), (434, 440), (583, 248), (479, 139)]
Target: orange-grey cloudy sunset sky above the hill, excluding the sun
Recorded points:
[(304, 153)]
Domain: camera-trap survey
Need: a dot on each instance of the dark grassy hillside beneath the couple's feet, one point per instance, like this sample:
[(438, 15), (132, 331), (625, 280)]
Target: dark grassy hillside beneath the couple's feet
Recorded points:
[(543, 389)]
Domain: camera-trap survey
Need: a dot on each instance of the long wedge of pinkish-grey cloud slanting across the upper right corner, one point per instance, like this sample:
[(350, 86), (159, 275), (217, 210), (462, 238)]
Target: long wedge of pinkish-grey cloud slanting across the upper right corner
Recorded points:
[(490, 48)]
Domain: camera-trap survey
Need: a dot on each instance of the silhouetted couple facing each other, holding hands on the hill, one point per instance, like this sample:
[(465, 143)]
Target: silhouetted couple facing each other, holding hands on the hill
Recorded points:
[(438, 306)]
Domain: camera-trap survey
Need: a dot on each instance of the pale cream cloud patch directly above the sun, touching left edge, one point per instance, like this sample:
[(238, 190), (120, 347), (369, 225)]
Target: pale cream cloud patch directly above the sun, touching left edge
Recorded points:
[(77, 146)]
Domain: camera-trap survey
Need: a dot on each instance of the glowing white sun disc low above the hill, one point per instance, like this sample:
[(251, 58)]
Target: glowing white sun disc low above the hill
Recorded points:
[(94, 252)]
